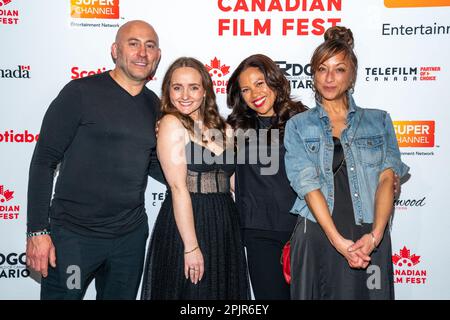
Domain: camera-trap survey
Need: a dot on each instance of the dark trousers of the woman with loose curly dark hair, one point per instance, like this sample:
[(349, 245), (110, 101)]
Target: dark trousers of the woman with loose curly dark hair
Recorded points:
[(263, 255)]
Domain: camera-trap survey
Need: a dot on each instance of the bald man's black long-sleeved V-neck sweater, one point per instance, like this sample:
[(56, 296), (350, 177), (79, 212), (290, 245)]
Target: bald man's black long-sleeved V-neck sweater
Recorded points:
[(104, 140)]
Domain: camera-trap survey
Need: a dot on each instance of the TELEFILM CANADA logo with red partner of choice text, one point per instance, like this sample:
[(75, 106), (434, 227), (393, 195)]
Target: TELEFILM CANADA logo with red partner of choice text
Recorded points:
[(402, 73)]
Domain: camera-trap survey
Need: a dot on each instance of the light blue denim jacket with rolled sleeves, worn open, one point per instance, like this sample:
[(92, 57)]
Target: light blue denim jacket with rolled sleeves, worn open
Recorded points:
[(368, 152)]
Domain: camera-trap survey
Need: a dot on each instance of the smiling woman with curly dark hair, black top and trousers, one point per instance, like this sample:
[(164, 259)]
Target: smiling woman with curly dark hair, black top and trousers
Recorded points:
[(259, 96)]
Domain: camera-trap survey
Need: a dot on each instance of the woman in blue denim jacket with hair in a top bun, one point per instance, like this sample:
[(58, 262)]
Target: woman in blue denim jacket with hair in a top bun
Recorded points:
[(341, 160)]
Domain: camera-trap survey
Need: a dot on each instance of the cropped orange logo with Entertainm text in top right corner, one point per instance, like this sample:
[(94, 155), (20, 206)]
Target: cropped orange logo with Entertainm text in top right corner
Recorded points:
[(430, 29)]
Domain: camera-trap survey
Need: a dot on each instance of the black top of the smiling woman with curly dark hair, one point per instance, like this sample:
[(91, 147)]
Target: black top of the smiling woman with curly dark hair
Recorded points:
[(264, 201)]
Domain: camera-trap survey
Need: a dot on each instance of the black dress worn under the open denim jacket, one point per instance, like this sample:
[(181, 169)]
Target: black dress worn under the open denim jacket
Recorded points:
[(319, 271)]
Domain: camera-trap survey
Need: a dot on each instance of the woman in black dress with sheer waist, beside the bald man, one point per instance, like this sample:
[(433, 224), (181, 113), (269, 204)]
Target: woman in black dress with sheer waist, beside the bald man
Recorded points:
[(196, 250)]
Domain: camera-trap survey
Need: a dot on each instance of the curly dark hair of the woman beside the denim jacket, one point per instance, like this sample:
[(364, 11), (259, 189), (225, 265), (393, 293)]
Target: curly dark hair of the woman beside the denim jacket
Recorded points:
[(243, 117)]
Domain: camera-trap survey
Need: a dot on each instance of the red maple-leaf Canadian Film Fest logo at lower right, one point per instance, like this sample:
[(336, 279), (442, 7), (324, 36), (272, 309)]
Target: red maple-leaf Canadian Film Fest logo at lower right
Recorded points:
[(405, 270)]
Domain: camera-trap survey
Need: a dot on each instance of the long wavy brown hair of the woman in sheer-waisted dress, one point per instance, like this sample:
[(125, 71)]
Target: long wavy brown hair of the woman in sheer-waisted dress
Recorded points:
[(209, 111)]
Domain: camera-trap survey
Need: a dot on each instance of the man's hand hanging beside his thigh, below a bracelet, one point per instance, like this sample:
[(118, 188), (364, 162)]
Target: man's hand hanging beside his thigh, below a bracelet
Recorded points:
[(41, 251)]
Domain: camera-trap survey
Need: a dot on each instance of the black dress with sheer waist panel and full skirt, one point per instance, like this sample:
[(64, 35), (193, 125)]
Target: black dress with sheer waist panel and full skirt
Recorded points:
[(218, 234)]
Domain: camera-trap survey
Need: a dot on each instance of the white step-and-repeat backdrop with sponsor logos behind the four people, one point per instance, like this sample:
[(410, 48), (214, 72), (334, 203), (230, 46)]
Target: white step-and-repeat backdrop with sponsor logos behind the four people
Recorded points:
[(403, 48)]
